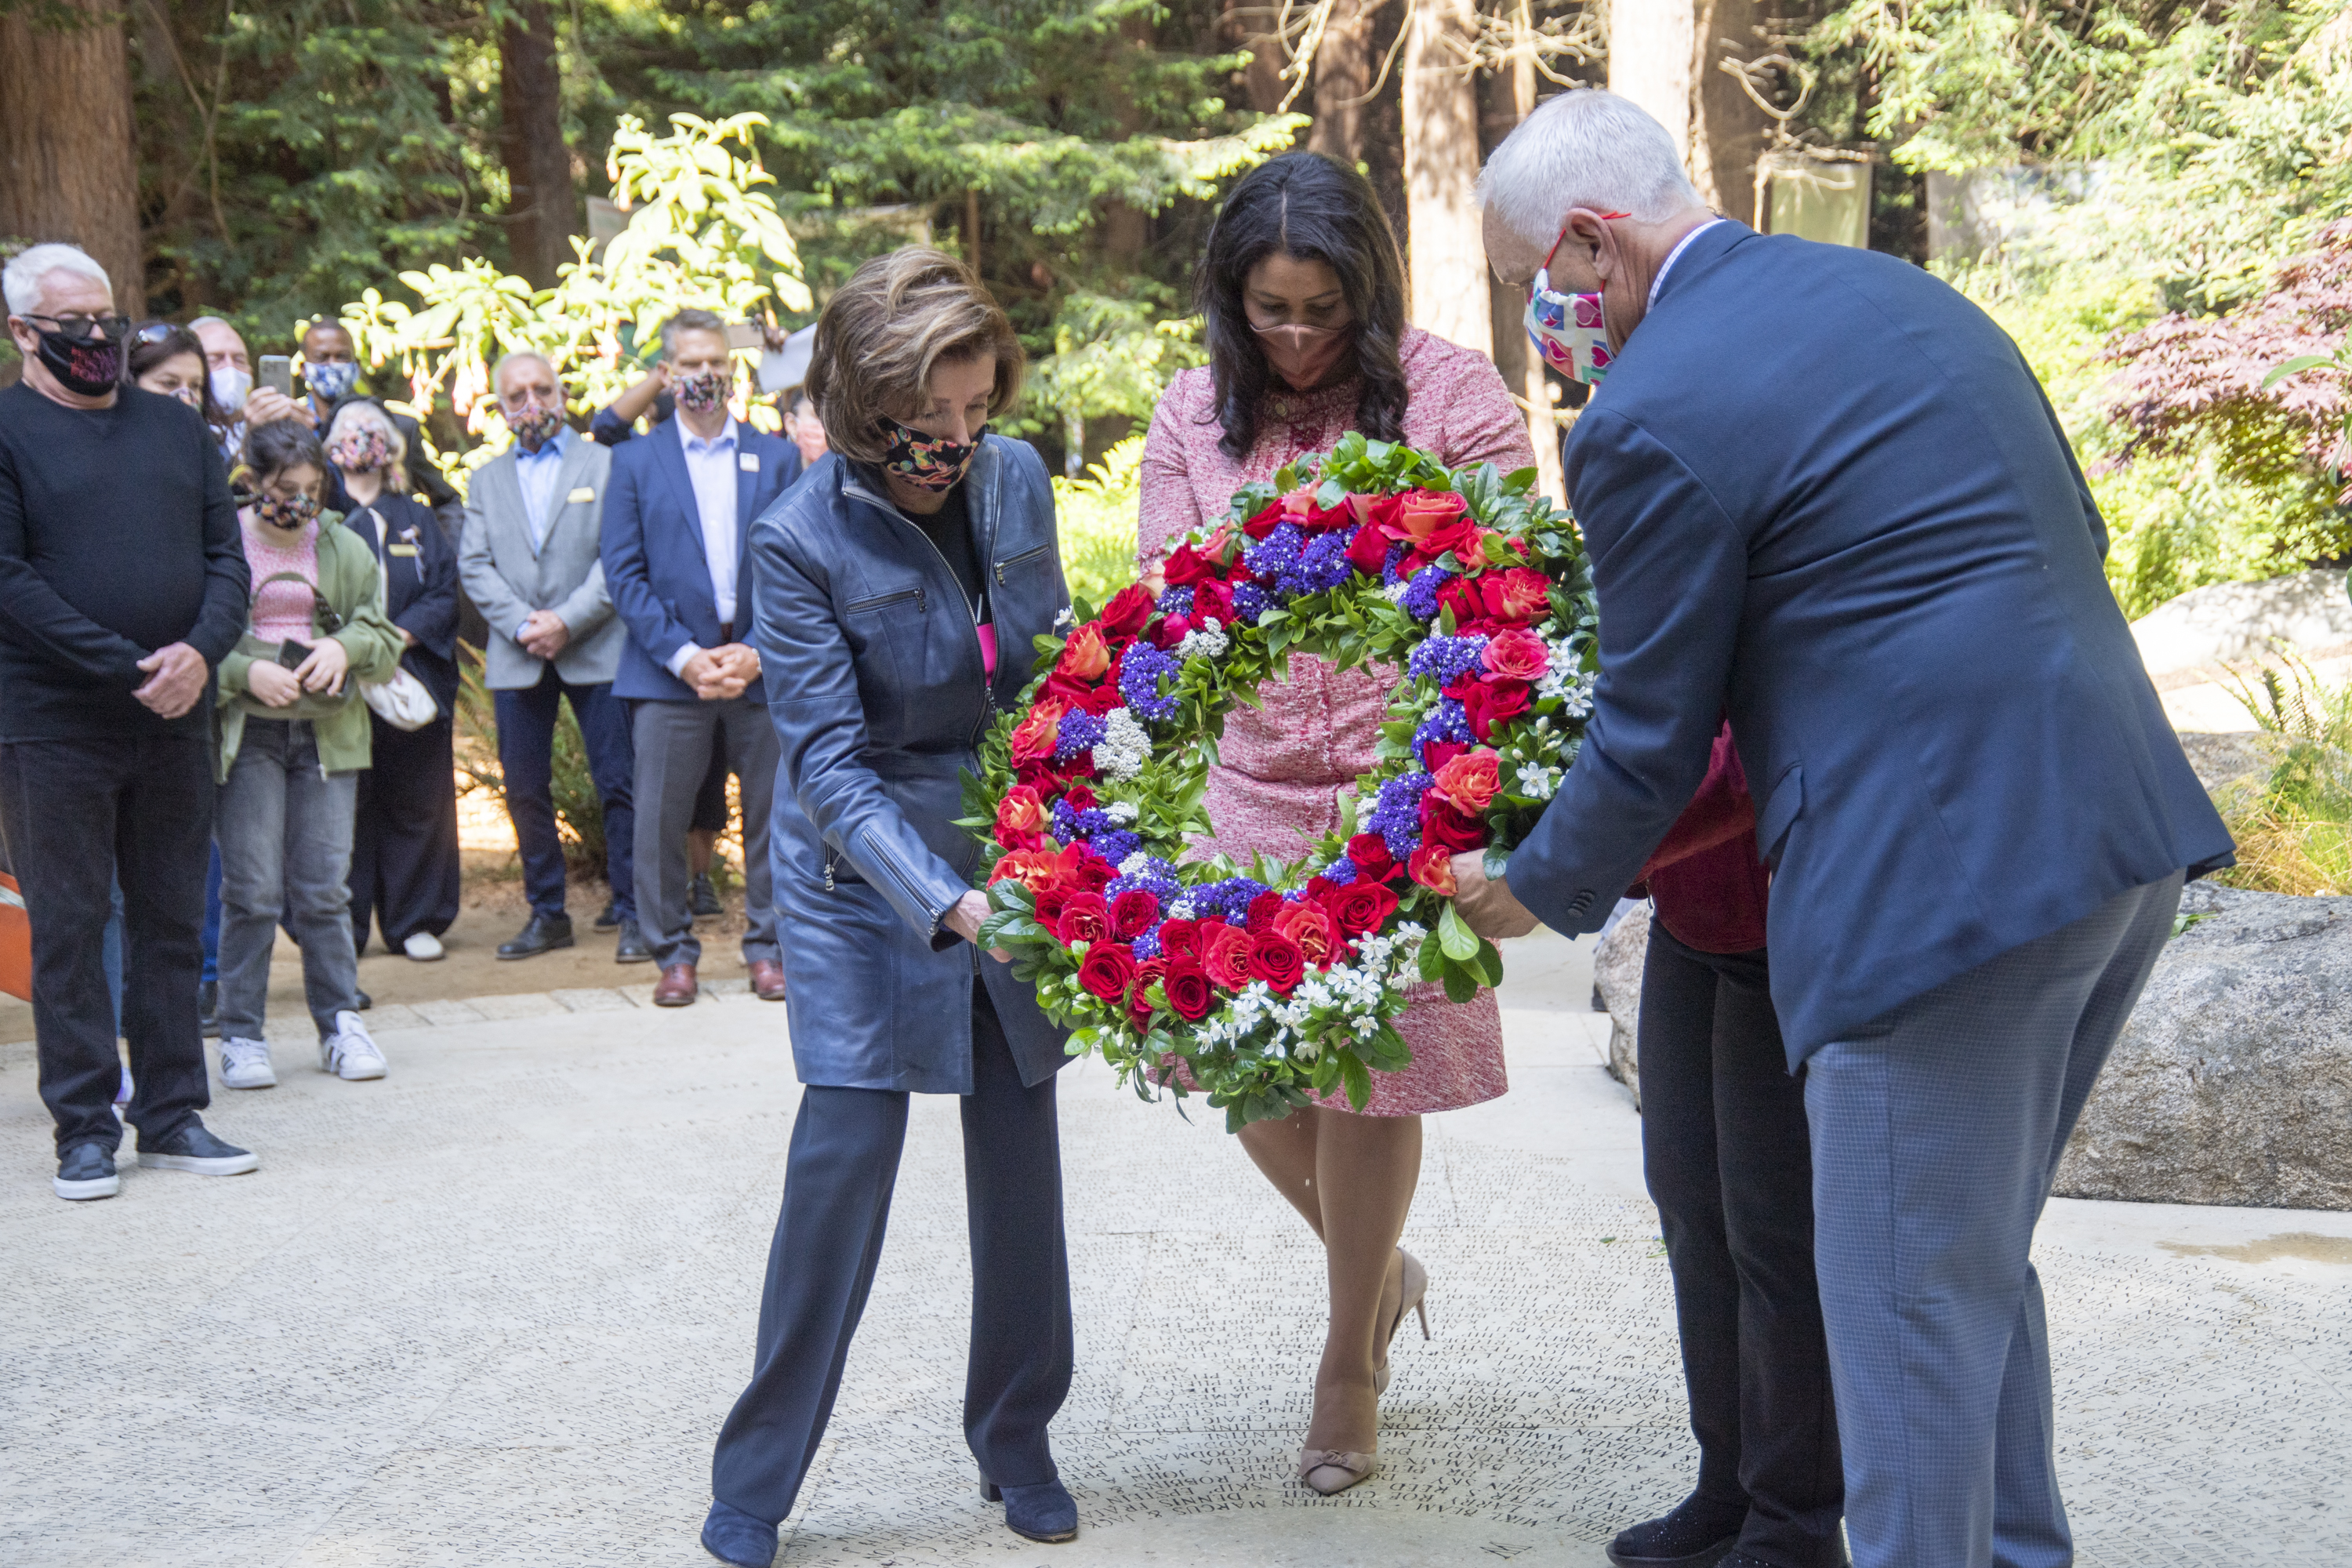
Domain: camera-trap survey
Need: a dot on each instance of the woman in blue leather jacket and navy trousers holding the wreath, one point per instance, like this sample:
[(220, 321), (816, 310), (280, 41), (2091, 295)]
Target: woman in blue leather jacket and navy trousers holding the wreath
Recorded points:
[(900, 589)]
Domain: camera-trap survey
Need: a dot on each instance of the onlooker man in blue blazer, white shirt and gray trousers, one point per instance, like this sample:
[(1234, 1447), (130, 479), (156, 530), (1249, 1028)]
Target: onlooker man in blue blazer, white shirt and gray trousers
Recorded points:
[(676, 532)]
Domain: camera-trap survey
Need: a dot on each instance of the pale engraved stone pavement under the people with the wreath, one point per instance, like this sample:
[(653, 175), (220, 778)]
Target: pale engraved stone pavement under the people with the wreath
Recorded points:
[(493, 1308)]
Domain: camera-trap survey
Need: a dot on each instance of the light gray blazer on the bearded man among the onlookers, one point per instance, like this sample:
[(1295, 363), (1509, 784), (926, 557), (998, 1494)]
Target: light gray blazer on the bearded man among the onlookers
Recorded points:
[(507, 579)]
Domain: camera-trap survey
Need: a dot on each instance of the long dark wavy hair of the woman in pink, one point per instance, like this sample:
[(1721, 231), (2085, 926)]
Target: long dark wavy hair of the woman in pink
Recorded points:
[(1318, 210)]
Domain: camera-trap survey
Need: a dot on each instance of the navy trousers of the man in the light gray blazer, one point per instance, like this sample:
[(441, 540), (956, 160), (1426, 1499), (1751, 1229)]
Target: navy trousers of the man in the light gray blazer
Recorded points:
[(528, 763)]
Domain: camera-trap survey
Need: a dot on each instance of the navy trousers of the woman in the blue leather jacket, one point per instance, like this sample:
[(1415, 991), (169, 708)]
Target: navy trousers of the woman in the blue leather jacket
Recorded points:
[(822, 1266)]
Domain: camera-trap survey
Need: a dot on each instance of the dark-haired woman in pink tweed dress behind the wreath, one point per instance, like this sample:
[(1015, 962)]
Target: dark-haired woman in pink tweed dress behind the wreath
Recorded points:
[(1304, 300)]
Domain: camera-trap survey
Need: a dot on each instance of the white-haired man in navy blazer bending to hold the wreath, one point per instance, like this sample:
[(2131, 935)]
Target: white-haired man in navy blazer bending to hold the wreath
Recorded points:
[(1826, 497)]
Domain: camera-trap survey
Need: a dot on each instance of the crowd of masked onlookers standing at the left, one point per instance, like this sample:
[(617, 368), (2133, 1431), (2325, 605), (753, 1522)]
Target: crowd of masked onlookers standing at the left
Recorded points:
[(229, 681)]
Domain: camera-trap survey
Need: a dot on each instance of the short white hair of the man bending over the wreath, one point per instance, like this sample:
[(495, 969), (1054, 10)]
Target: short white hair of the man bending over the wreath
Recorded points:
[(1584, 149)]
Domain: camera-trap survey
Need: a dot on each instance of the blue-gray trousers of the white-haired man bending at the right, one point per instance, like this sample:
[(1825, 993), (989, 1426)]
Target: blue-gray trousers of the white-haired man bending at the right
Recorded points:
[(1937, 1137)]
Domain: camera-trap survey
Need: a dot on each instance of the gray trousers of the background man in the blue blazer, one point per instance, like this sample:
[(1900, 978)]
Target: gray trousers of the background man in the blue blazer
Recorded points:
[(674, 753)]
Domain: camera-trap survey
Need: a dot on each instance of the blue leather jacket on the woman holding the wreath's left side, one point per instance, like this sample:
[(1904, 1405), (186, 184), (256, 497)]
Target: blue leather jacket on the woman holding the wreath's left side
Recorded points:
[(881, 706)]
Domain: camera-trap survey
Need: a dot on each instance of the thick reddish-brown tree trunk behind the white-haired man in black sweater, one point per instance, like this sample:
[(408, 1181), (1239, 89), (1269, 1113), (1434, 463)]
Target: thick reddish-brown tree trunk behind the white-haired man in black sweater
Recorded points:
[(69, 168)]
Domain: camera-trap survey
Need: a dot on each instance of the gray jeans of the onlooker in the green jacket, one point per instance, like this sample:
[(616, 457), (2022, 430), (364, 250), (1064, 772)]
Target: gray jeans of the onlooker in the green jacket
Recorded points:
[(286, 852)]
